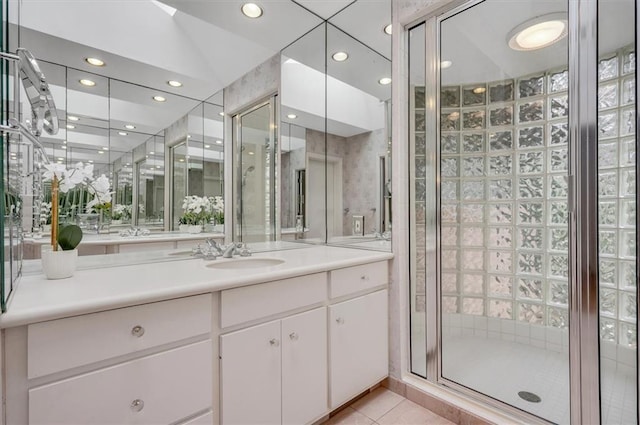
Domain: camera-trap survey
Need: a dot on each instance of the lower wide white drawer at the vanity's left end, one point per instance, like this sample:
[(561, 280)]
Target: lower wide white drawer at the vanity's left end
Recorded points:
[(159, 389)]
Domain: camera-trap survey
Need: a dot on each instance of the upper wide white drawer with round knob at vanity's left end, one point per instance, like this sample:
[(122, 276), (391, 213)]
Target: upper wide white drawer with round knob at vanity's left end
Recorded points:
[(75, 341)]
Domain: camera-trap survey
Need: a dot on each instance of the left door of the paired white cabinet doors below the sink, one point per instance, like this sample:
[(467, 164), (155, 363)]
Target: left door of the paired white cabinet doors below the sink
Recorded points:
[(250, 375)]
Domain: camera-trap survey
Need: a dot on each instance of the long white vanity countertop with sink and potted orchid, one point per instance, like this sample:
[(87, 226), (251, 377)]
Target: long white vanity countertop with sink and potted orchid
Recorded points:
[(111, 285)]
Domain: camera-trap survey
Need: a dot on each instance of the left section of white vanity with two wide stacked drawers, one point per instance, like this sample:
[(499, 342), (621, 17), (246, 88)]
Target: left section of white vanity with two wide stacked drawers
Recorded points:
[(148, 364)]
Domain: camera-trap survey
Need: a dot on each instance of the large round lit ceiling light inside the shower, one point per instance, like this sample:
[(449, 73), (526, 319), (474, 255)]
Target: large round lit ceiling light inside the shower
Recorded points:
[(539, 32)]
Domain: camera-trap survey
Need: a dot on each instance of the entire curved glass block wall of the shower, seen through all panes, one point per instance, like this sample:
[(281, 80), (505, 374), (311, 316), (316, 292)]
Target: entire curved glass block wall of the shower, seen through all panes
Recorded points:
[(504, 155)]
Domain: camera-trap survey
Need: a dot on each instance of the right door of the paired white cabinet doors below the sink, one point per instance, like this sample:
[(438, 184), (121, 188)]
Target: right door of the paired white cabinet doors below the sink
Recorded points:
[(304, 367)]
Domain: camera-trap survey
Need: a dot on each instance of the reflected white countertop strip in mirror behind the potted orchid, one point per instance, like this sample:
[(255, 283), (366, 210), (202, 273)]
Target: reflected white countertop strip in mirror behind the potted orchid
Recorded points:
[(116, 239)]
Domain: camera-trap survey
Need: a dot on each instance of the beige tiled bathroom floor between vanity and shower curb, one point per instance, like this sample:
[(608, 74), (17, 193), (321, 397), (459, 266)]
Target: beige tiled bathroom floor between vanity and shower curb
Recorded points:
[(383, 407)]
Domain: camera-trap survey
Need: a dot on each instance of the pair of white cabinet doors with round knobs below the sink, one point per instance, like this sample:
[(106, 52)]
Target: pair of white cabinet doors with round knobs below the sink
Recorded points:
[(276, 372)]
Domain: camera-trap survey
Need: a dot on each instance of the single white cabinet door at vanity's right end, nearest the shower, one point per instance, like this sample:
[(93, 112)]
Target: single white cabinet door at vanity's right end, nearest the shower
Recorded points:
[(358, 332)]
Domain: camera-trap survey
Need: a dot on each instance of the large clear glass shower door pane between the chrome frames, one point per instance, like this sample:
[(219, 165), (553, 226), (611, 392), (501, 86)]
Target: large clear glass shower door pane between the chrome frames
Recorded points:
[(504, 245)]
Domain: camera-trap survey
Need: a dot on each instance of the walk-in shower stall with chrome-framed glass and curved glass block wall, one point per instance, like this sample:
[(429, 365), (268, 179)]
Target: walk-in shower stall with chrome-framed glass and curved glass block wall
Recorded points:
[(524, 206)]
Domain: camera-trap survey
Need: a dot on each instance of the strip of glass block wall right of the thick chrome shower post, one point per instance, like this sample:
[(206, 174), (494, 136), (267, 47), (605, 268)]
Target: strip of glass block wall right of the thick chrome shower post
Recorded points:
[(617, 198)]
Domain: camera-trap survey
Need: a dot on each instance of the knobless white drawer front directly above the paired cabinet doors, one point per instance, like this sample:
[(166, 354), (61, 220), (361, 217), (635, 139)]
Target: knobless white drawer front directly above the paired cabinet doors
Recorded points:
[(253, 302)]
